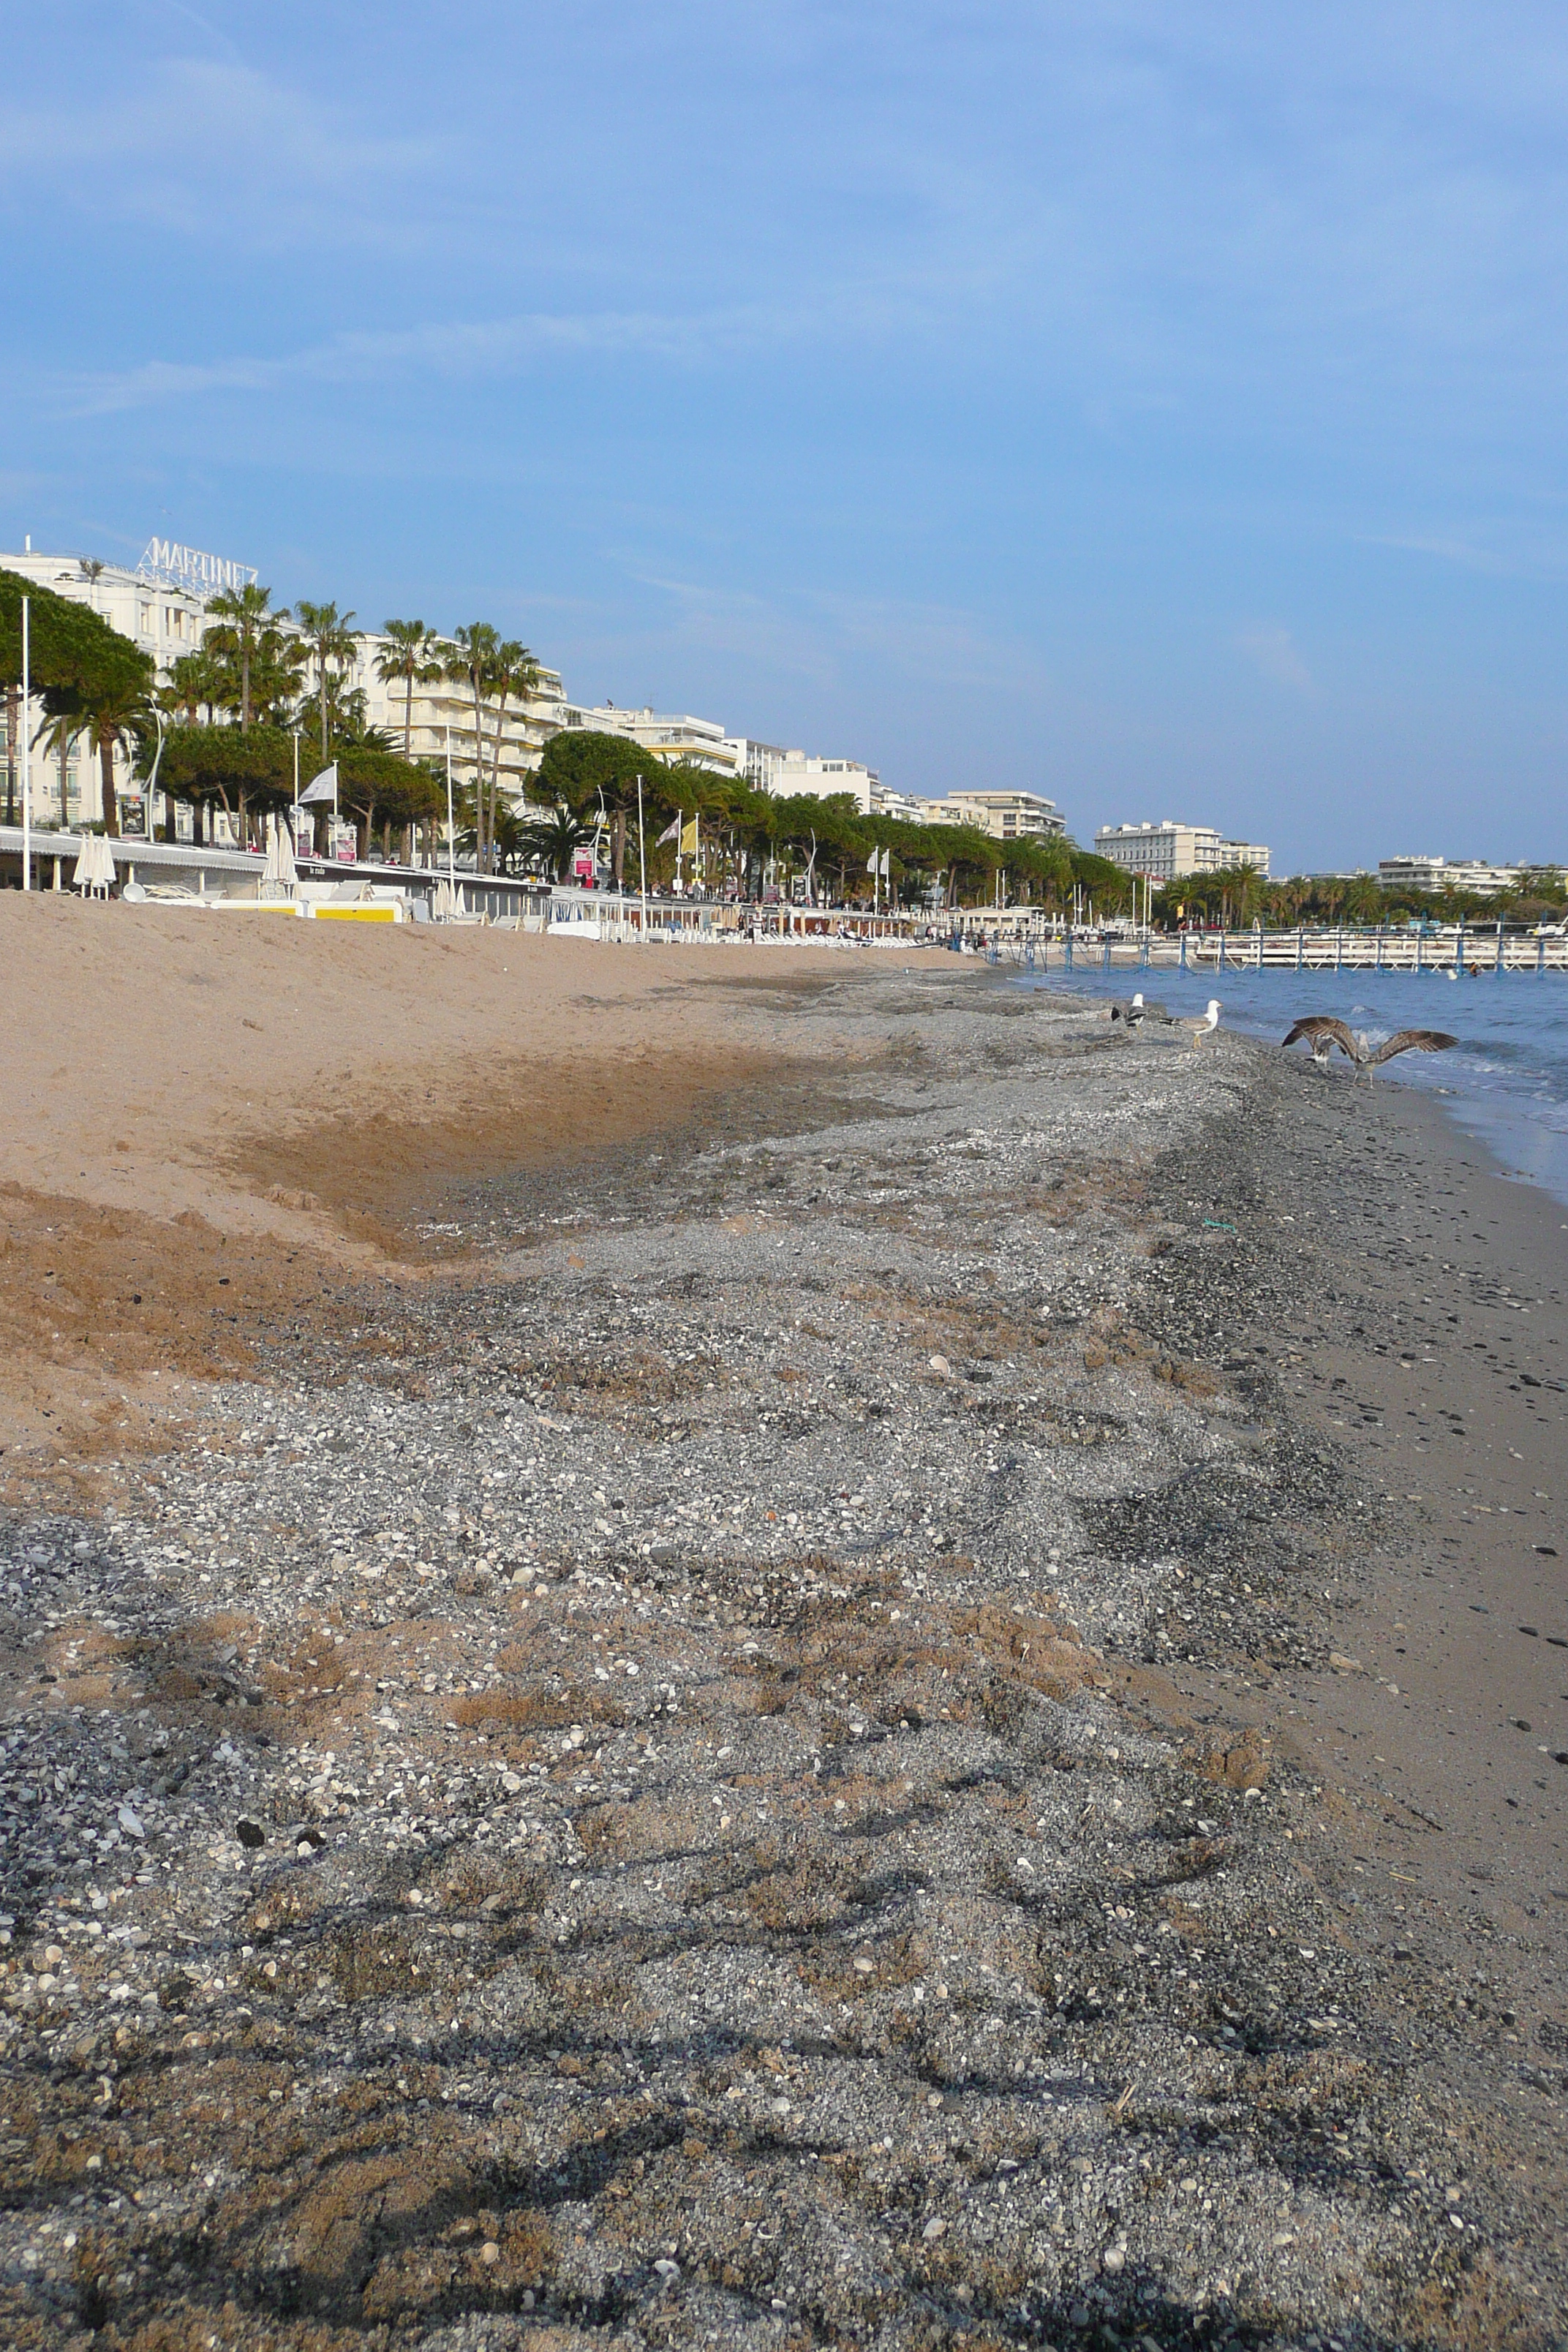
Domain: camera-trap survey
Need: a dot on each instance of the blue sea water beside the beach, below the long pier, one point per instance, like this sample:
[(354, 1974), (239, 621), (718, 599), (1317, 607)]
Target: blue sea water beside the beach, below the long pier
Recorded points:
[(1506, 1081)]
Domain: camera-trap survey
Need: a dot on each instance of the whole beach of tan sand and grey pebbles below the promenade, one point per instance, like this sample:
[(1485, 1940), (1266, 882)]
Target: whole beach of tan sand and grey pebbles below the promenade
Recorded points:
[(770, 1648)]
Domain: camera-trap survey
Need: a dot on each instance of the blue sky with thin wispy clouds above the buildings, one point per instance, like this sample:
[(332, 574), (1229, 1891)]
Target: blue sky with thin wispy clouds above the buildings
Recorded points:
[(1153, 403)]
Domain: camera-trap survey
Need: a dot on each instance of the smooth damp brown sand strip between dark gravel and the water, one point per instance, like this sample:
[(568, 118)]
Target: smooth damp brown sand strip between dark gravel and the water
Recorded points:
[(1440, 1372)]
